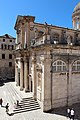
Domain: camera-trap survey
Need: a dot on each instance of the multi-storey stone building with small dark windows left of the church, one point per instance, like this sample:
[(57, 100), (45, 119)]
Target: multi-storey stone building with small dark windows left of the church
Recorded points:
[(7, 45)]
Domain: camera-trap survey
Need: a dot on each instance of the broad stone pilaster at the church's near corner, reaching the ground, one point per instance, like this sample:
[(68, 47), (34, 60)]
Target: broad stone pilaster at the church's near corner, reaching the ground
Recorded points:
[(46, 83)]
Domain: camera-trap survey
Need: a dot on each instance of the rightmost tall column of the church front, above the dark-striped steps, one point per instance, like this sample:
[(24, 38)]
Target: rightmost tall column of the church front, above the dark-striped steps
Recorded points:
[(34, 77)]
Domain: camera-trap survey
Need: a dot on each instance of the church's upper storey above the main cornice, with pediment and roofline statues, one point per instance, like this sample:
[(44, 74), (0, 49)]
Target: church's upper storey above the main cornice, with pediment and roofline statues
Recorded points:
[(44, 33)]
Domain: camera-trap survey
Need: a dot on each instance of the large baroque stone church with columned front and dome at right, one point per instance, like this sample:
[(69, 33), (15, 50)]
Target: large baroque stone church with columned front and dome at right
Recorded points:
[(47, 61)]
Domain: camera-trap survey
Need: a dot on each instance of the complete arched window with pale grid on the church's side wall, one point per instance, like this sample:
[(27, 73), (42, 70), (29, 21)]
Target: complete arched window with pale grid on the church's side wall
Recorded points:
[(58, 66)]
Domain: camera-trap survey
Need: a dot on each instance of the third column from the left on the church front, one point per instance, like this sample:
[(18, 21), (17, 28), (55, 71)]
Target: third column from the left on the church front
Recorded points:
[(26, 72)]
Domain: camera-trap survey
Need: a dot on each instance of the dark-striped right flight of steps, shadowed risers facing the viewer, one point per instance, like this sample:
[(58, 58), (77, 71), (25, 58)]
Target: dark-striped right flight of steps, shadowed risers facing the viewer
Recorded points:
[(27, 104)]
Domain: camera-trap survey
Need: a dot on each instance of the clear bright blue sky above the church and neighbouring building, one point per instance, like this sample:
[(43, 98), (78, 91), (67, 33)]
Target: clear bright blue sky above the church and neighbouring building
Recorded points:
[(55, 12)]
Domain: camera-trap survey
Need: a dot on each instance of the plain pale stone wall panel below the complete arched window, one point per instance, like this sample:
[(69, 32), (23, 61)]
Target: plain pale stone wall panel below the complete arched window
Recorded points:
[(59, 89)]
